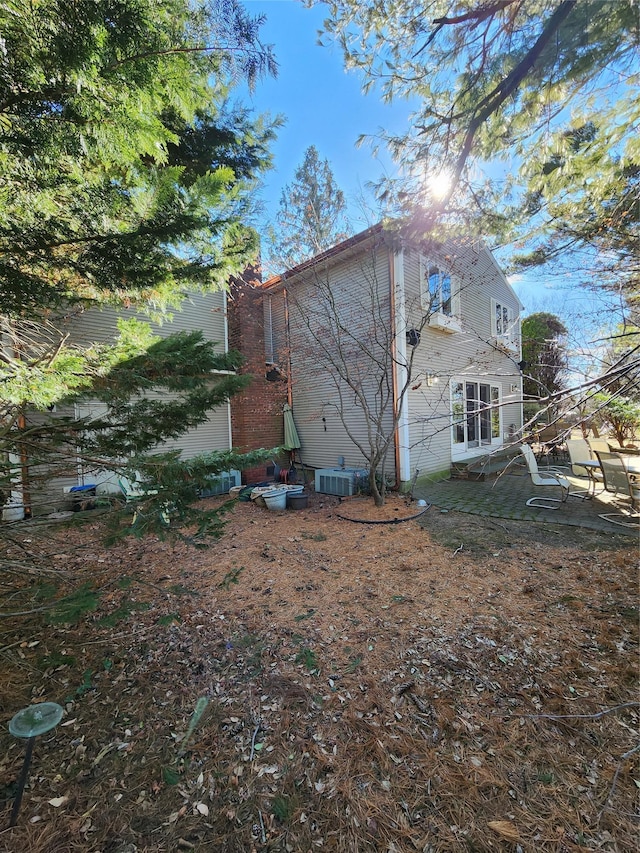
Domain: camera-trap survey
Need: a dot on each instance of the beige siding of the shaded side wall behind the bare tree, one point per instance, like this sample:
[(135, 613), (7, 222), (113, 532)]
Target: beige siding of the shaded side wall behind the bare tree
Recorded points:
[(360, 286)]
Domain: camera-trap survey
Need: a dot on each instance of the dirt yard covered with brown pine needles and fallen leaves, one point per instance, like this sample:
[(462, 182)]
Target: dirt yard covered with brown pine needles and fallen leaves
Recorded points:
[(311, 683)]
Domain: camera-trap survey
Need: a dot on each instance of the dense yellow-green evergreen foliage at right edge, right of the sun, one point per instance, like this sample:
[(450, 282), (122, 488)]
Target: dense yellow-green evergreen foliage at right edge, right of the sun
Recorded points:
[(583, 200)]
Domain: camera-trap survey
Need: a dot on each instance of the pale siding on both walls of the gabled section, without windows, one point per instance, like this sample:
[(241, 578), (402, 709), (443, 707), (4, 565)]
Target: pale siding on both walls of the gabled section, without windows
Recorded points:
[(471, 352)]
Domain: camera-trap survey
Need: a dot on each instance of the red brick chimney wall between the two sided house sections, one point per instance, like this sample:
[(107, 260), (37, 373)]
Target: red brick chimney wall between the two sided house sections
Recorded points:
[(256, 412)]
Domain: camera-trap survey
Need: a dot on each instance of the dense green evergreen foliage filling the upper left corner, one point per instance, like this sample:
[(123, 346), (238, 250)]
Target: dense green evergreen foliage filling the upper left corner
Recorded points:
[(124, 175)]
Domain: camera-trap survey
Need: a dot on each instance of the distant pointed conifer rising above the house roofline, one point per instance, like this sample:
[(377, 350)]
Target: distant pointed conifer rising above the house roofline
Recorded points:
[(311, 215)]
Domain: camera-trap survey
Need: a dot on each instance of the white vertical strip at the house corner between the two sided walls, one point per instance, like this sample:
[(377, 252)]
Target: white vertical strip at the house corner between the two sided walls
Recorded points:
[(403, 455)]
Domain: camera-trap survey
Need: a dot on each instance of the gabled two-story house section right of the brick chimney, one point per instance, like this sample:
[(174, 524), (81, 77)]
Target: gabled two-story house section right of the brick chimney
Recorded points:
[(403, 348)]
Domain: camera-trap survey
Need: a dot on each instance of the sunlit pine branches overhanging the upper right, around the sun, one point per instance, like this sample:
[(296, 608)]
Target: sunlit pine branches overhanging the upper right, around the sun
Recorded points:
[(530, 109)]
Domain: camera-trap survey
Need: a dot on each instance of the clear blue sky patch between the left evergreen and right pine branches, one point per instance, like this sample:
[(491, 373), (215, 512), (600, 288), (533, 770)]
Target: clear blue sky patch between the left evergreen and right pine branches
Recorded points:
[(322, 105)]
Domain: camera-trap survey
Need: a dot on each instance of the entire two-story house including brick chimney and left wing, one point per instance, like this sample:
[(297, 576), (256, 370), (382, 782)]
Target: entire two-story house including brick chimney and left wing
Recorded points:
[(395, 350)]
